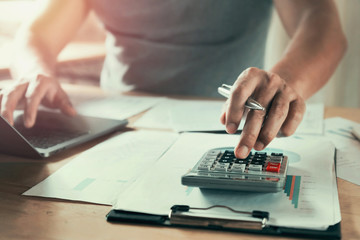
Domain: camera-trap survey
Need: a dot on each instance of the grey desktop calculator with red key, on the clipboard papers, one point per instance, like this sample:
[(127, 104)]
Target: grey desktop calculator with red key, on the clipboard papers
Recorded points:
[(219, 169)]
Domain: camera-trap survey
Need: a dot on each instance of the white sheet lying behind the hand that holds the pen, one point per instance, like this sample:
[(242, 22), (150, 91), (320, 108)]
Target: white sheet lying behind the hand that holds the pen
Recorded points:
[(199, 115)]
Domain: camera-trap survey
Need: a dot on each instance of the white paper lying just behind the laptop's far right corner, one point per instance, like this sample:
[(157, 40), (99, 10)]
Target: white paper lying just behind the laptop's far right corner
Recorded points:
[(114, 107)]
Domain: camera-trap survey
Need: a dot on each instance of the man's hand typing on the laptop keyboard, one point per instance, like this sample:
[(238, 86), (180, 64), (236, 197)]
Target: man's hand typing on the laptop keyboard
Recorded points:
[(31, 92)]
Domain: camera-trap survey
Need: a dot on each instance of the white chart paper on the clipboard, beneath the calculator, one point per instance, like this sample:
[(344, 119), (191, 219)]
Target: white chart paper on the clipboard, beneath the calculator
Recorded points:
[(310, 200)]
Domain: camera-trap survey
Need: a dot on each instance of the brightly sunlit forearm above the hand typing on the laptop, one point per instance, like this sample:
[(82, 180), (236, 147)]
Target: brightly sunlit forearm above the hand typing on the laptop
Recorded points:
[(41, 38)]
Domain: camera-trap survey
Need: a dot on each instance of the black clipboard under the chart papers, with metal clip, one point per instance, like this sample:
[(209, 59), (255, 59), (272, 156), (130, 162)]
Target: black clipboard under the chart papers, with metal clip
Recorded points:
[(179, 217)]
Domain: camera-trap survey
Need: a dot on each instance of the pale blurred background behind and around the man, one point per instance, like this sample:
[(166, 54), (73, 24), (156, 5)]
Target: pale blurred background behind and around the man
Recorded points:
[(81, 61)]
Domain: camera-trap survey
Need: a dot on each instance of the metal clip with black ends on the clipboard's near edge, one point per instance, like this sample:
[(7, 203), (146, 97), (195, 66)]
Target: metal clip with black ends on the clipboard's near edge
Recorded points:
[(181, 215)]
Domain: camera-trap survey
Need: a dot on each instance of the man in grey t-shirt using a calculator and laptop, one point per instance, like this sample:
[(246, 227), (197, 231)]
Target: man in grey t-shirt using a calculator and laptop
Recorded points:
[(188, 47)]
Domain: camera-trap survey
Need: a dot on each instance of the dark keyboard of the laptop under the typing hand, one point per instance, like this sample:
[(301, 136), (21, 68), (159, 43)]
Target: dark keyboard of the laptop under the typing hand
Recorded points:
[(45, 138)]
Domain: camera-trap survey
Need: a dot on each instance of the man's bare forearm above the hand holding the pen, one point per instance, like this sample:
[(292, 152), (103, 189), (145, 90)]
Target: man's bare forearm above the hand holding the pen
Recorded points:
[(315, 49)]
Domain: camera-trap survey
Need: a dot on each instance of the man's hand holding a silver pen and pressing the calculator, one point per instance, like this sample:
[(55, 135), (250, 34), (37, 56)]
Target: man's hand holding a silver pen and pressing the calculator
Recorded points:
[(285, 109)]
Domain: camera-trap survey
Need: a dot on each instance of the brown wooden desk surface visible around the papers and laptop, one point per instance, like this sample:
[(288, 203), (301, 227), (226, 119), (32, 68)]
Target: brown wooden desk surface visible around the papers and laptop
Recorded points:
[(40, 218)]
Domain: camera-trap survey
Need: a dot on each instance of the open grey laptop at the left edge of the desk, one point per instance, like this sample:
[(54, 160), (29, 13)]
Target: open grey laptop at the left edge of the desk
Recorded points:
[(52, 132)]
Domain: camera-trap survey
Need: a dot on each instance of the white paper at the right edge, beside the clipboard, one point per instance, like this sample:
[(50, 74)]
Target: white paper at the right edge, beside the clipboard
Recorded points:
[(348, 160)]
